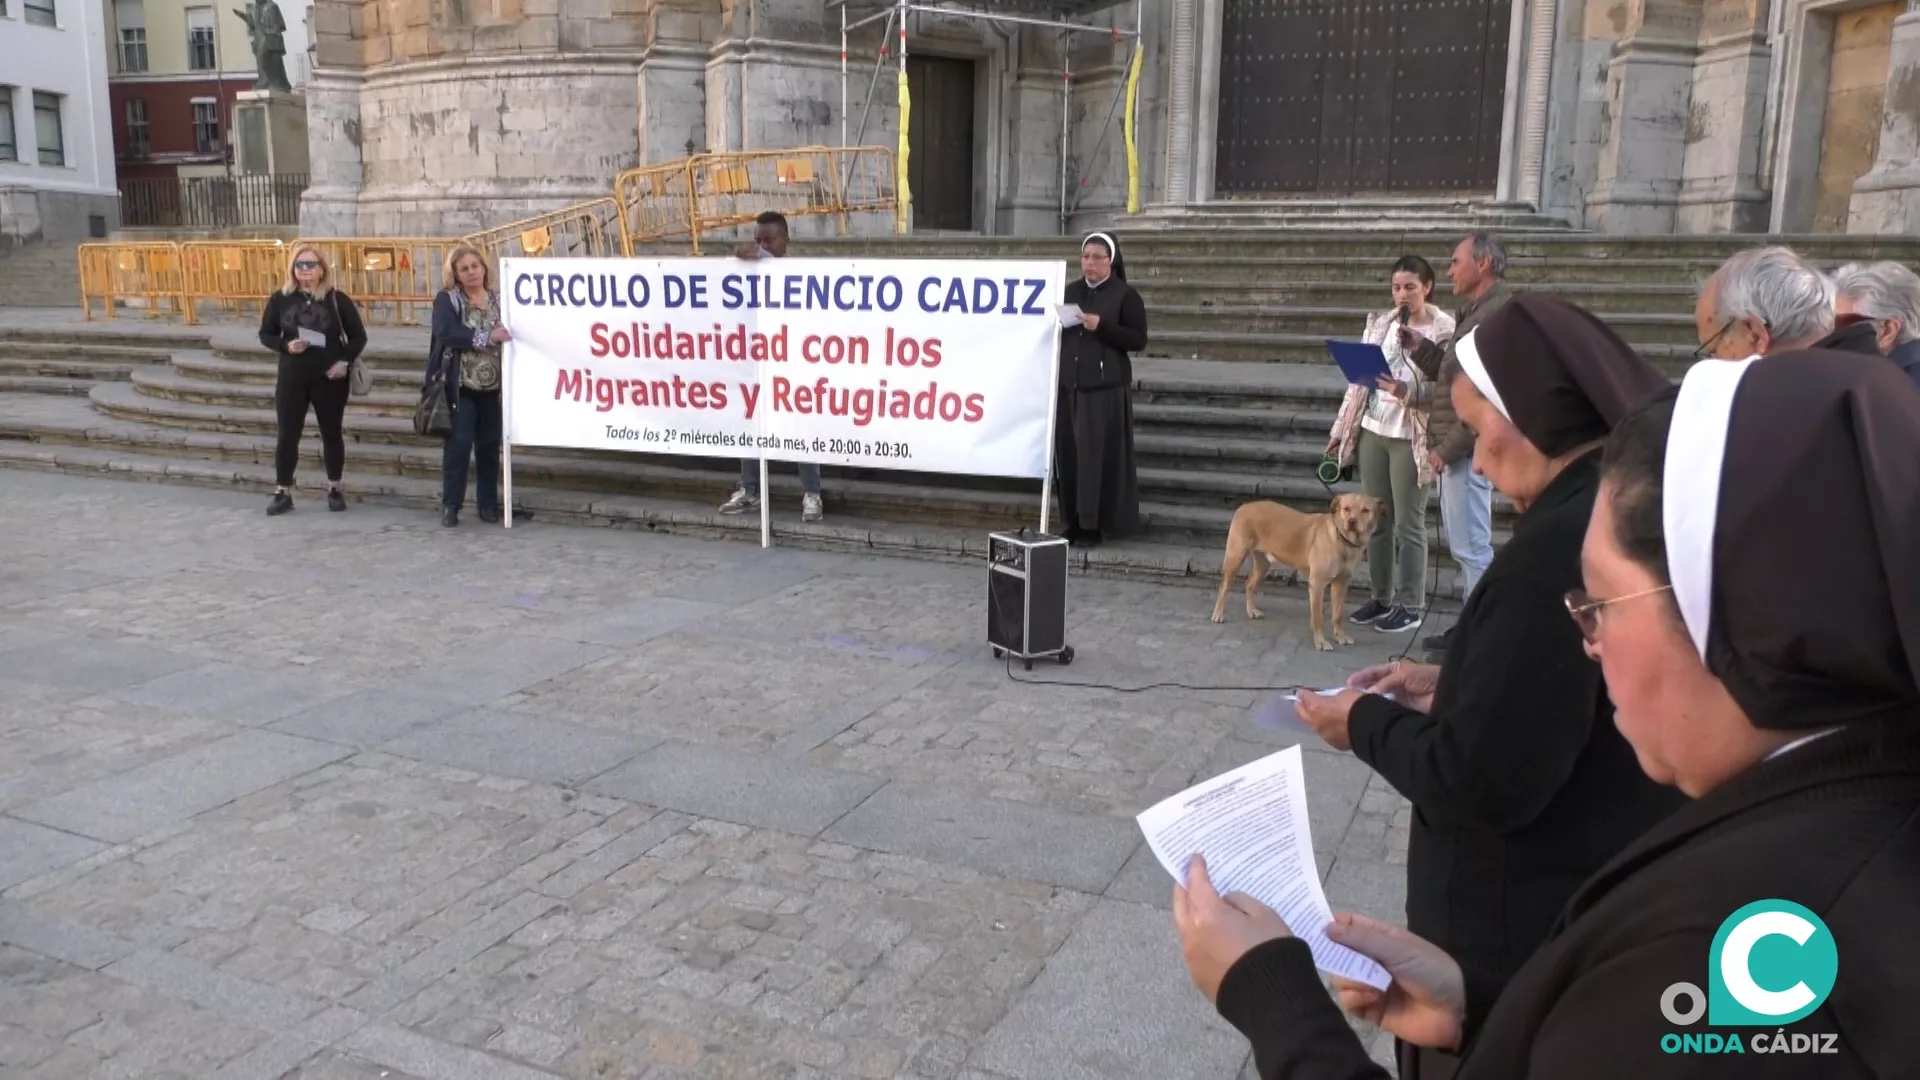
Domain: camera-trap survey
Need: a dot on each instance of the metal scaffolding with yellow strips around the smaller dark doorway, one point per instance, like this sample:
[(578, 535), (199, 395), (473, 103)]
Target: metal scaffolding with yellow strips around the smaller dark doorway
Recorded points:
[(901, 9)]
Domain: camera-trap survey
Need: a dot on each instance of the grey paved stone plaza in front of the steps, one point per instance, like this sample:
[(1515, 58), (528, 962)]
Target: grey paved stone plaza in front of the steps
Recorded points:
[(356, 797)]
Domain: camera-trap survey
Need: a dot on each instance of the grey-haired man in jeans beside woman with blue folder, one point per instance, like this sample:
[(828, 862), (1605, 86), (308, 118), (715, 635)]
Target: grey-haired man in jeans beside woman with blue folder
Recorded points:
[(1479, 276)]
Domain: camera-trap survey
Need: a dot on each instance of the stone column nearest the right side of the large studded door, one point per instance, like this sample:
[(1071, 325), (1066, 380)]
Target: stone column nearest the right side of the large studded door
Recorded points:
[(1650, 97)]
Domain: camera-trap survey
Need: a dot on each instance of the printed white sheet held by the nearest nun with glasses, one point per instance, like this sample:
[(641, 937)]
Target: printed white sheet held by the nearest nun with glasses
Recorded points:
[(1253, 829)]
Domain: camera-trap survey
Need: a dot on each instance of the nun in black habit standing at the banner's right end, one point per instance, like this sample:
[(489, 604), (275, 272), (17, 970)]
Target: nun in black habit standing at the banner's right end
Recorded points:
[(1093, 430)]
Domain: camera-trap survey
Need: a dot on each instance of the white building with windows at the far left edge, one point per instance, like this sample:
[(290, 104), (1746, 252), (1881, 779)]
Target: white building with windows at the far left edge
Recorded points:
[(57, 155)]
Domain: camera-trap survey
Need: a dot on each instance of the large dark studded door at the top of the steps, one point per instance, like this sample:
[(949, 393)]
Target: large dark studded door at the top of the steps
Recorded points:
[(1343, 97)]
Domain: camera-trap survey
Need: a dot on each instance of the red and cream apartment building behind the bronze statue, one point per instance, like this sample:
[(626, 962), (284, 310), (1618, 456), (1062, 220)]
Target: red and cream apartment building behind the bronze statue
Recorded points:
[(178, 70)]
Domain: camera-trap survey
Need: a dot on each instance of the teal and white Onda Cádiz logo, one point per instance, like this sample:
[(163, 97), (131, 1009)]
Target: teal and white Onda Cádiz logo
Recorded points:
[(1771, 964)]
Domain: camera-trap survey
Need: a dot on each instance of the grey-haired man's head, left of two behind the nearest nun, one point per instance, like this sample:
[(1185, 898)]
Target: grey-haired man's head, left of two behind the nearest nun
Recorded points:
[(1760, 303)]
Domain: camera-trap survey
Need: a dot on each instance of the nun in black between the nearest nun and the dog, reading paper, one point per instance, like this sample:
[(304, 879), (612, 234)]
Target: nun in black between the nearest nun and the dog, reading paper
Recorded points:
[(1520, 783)]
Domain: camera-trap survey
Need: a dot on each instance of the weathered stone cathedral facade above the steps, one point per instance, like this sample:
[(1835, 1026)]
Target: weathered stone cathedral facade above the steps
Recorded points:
[(1620, 116)]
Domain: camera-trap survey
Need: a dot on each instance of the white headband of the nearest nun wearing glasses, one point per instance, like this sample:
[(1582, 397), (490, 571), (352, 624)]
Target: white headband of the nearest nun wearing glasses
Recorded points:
[(1691, 504)]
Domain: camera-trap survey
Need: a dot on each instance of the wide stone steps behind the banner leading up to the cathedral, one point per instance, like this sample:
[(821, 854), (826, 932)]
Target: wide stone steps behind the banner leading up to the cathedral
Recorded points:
[(1234, 399)]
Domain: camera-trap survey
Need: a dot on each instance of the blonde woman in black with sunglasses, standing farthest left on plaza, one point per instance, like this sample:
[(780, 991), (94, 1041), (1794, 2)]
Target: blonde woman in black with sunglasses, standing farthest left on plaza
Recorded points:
[(318, 333)]
